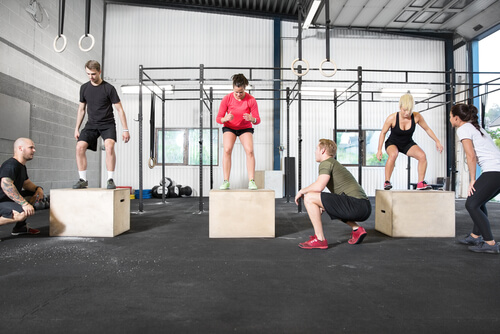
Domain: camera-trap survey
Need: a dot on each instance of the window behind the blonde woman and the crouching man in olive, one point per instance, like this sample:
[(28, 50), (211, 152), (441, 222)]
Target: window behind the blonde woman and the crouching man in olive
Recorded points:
[(348, 148)]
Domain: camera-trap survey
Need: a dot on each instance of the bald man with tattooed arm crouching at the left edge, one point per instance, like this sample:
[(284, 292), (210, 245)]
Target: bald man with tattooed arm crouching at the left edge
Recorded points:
[(14, 208)]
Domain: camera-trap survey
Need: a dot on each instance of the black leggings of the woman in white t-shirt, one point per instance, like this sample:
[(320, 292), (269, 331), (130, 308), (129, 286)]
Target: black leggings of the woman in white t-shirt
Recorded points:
[(487, 186)]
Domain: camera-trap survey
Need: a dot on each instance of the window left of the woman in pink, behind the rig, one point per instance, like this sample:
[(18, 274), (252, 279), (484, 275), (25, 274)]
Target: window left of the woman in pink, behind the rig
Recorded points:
[(182, 146)]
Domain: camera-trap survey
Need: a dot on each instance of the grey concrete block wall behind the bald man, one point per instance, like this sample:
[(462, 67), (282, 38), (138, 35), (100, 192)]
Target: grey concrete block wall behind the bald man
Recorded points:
[(32, 71)]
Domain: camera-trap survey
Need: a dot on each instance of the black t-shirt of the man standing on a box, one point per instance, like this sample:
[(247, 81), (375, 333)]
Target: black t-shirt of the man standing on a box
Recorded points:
[(99, 100)]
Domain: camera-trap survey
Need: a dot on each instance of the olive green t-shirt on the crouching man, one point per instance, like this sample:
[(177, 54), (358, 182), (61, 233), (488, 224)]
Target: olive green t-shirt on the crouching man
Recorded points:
[(341, 180)]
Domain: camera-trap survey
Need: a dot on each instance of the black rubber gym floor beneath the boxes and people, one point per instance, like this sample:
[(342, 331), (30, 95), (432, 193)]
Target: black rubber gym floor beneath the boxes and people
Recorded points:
[(166, 276)]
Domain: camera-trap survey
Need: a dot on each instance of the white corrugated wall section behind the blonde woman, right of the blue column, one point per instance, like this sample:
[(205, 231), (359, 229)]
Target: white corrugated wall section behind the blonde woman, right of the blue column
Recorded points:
[(350, 49)]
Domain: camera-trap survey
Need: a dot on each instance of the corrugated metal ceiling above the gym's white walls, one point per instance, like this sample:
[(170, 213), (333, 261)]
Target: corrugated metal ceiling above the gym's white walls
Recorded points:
[(465, 18)]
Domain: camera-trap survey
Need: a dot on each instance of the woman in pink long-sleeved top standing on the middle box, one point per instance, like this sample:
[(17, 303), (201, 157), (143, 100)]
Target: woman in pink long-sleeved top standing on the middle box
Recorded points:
[(238, 111)]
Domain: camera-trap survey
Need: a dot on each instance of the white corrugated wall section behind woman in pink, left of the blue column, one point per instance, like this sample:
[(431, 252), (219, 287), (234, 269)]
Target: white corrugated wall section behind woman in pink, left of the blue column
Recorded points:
[(172, 38)]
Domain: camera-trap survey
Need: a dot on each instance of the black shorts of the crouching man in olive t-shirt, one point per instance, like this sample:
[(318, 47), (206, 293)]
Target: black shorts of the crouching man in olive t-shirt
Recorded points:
[(346, 208)]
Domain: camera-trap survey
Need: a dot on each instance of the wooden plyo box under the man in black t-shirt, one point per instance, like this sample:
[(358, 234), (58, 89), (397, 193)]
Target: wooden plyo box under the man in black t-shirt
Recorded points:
[(90, 212)]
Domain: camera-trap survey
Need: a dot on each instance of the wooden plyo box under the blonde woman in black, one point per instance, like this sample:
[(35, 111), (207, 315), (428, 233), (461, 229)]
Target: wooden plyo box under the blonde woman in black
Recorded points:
[(415, 213)]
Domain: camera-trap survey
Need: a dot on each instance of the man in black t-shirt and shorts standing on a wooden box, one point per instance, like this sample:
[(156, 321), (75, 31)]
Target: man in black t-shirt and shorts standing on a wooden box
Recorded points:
[(98, 97)]
